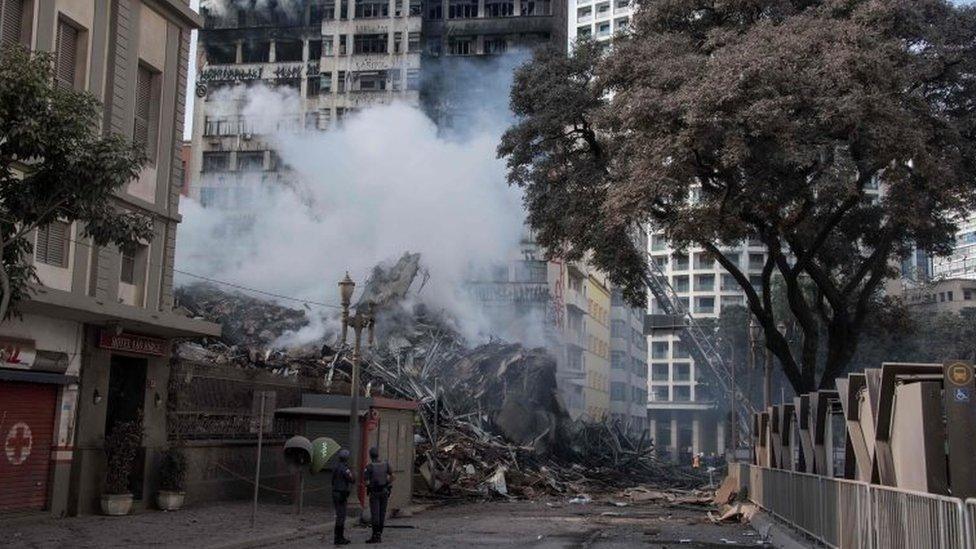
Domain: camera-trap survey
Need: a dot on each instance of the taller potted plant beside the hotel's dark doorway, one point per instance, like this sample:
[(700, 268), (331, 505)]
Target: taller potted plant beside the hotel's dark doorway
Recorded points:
[(121, 446)]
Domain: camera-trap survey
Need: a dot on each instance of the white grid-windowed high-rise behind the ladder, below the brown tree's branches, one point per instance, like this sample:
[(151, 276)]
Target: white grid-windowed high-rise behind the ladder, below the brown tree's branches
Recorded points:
[(683, 420)]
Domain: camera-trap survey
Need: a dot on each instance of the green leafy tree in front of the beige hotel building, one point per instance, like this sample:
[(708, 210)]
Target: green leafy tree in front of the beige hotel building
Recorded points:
[(55, 164)]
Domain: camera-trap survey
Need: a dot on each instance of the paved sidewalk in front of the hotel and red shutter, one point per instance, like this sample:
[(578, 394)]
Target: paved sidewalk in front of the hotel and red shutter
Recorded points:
[(225, 525)]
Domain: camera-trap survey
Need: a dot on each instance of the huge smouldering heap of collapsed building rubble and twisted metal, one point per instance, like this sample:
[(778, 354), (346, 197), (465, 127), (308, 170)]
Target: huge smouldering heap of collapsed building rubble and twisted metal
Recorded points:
[(491, 422)]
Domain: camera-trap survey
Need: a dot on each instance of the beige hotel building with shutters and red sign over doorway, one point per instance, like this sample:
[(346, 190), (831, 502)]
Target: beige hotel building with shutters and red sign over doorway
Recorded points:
[(92, 346)]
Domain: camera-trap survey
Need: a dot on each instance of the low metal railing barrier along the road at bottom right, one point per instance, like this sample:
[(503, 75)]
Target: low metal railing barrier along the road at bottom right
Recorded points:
[(851, 514)]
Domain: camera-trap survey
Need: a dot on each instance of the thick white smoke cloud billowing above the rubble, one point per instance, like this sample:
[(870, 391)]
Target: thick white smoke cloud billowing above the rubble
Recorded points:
[(386, 183)]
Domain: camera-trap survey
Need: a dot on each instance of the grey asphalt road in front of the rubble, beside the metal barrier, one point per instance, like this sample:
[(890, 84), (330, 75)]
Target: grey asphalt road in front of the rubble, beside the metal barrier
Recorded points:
[(555, 523)]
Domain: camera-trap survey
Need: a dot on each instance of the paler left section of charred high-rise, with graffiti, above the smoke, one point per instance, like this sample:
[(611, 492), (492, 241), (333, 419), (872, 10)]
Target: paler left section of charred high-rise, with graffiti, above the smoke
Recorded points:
[(333, 57)]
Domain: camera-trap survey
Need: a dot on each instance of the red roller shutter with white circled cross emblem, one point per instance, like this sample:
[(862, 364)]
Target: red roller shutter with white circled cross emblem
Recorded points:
[(27, 431)]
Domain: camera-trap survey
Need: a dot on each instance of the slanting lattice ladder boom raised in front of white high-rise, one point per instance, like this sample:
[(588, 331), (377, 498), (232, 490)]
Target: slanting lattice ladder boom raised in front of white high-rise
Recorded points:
[(699, 344)]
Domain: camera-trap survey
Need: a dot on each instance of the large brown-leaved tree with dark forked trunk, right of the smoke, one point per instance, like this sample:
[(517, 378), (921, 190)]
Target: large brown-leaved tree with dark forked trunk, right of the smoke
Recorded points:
[(776, 120)]
